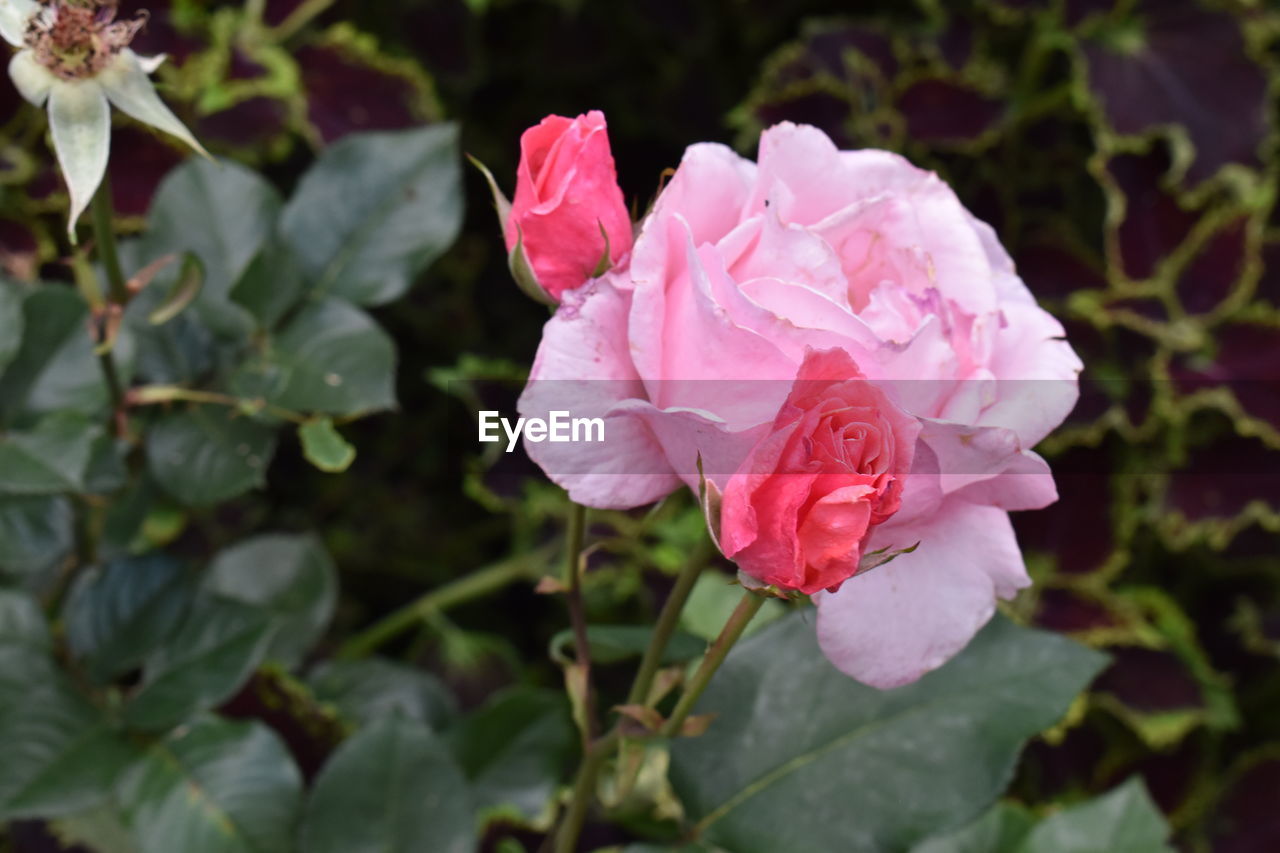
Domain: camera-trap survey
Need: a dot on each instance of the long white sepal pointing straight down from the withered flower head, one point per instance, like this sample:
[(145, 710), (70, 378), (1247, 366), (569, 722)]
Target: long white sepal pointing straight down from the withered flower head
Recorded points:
[(81, 124)]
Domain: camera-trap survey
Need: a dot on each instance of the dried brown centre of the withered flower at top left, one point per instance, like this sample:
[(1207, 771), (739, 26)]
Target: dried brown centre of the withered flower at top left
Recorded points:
[(77, 39)]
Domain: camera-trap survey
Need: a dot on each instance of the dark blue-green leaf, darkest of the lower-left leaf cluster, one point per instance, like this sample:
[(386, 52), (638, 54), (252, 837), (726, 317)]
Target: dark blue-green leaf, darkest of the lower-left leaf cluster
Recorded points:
[(120, 614)]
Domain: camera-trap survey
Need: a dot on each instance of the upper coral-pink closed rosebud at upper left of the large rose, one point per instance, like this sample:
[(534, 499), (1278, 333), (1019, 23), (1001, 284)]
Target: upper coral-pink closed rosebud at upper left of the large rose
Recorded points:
[(568, 199)]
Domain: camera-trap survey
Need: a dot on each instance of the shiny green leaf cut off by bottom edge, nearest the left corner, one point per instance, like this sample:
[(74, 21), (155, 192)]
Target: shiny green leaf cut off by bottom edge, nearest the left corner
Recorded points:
[(214, 787)]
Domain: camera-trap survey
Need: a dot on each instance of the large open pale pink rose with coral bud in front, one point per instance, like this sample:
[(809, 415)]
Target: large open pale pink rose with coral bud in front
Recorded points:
[(836, 349)]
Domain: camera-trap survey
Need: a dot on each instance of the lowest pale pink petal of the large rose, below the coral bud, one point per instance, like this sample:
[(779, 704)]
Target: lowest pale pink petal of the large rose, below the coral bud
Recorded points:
[(897, 623)]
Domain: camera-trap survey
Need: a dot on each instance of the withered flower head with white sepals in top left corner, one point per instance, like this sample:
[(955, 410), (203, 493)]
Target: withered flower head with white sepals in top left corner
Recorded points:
[(76, 57)]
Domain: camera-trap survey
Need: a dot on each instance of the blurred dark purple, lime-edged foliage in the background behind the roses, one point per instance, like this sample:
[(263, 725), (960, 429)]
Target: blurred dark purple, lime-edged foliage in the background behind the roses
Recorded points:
[(1126, 152)]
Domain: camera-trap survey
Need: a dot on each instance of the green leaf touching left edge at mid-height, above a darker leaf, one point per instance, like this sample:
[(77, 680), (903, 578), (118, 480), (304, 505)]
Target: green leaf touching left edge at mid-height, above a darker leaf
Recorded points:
[(52, 458)]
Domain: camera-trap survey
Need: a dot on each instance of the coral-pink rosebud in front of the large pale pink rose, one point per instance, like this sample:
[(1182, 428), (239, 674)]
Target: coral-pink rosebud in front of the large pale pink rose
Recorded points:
[(798, 513)]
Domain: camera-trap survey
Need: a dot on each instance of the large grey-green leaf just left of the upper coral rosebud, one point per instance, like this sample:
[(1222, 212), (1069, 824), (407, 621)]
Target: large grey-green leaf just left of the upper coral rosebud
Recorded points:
[(376, 211)]
